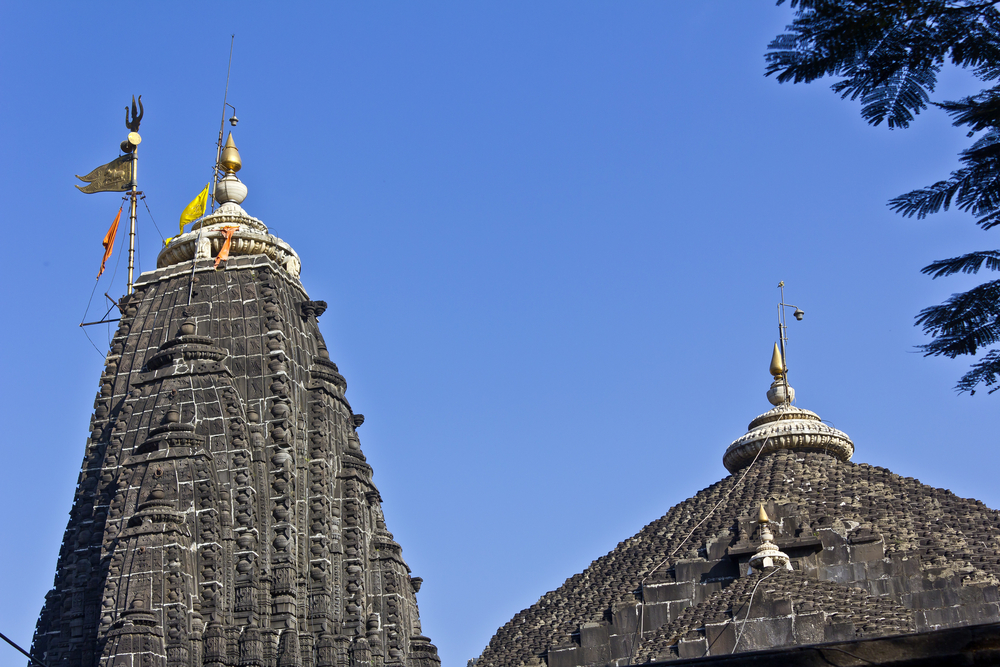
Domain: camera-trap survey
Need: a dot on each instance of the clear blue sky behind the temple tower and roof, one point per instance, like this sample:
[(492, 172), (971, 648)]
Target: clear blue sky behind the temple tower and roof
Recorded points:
[(549, 234)]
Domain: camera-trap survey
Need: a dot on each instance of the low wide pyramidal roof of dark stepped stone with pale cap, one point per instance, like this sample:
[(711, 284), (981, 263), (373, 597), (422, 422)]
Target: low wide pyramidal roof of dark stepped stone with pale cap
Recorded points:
[(872, 554)]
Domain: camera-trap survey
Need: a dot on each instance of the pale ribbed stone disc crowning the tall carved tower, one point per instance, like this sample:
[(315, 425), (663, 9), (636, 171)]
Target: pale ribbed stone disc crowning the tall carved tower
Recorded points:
[(251, 238)]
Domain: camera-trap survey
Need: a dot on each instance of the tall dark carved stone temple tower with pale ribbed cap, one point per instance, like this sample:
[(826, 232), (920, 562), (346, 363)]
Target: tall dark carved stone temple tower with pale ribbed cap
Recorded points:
[(225, 513)]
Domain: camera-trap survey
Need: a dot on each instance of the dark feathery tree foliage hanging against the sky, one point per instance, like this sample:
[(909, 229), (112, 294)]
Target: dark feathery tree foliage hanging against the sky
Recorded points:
[(887, 54)]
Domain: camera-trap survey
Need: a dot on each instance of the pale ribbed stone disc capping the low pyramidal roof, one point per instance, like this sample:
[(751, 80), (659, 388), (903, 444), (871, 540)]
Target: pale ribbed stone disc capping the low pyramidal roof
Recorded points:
[(787, 427)]
